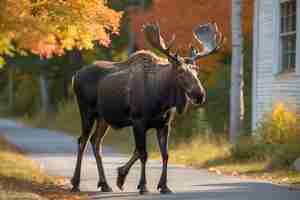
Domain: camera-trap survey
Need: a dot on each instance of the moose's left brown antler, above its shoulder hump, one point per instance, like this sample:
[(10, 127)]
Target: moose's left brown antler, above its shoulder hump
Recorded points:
[(153, 36)]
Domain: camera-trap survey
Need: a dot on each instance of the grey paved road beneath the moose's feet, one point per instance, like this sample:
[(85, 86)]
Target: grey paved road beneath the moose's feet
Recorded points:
[(56, 153)]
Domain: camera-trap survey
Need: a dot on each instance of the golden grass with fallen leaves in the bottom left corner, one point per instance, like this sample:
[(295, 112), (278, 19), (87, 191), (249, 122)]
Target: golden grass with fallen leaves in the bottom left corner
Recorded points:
[(22, 178)]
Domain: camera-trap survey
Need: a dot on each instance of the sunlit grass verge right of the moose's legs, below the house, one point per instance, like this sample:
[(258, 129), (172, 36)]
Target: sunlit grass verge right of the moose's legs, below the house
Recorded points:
[(248, 159)]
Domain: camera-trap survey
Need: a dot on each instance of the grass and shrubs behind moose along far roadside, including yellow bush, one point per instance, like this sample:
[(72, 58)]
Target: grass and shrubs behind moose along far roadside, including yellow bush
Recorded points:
[(269, 154)]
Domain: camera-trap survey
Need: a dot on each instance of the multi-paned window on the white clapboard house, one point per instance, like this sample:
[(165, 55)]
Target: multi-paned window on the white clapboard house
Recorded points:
[(288, 25)]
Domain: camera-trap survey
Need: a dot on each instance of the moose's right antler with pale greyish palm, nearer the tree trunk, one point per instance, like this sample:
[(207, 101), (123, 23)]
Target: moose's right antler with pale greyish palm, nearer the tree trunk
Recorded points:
[(211, 39)]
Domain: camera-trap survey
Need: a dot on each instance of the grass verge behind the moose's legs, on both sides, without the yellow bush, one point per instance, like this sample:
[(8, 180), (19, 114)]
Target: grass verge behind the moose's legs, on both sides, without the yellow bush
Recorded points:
[(250, 158)]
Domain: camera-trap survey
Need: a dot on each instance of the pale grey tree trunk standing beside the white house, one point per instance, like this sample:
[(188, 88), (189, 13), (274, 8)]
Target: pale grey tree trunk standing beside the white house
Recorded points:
[(236, 96)]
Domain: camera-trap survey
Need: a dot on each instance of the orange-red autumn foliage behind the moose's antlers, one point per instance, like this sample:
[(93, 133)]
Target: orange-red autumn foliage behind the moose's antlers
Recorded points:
[(180, 17)]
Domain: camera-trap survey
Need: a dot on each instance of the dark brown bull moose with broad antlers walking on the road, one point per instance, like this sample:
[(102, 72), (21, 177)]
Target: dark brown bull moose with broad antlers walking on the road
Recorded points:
[(140, 92)]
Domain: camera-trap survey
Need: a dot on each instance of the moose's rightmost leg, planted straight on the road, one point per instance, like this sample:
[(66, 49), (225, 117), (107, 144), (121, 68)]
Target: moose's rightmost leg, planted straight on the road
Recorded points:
[(162, 137)]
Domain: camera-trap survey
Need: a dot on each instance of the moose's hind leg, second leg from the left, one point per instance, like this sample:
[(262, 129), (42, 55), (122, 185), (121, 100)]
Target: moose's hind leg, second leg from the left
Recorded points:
[(96, 141)]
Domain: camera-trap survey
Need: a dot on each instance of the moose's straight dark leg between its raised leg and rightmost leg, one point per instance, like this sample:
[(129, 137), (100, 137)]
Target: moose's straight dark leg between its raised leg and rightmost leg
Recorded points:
[(140, 143)]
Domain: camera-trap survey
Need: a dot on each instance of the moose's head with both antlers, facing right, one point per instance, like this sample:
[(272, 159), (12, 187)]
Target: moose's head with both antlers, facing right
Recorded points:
[(185, 68)]
